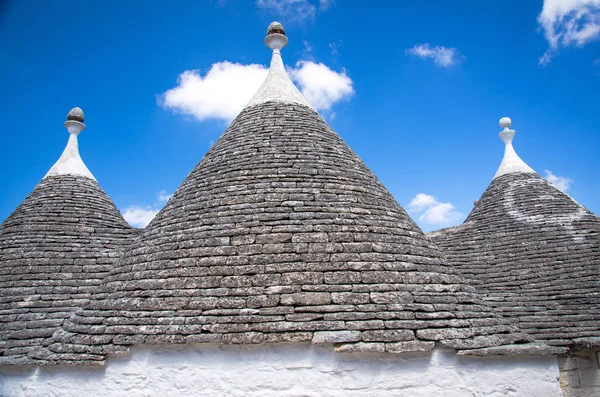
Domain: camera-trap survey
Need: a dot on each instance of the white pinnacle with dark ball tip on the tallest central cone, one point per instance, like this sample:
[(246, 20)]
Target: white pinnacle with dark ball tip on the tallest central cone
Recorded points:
[(277, 87)]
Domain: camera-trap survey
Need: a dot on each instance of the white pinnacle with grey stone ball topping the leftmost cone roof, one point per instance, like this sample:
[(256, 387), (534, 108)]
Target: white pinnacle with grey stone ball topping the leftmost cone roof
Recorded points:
[(70, 162)]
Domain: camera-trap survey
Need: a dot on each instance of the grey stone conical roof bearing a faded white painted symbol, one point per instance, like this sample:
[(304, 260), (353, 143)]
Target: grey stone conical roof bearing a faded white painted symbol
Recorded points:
[(535, 254)]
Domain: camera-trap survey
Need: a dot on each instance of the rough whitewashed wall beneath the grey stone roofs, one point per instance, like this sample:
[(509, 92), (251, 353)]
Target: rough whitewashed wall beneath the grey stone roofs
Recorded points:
[(289, 370)]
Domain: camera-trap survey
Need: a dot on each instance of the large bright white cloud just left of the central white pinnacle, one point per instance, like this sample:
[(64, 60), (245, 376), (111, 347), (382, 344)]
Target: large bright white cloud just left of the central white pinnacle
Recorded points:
[(221, 93)]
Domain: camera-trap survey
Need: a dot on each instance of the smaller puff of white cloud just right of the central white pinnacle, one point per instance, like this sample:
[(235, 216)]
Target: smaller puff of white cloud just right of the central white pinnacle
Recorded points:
[(321, 86)]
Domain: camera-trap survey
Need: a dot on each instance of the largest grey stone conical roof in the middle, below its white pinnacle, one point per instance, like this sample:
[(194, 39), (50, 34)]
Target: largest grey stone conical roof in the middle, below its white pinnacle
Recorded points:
[(281, 233)]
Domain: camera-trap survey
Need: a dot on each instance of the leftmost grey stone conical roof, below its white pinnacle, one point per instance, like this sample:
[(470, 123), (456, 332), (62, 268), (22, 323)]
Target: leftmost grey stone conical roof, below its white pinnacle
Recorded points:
[(55, 248)]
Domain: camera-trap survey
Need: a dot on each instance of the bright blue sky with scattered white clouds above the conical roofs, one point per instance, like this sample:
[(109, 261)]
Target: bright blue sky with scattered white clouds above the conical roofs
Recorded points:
[(416, 88)]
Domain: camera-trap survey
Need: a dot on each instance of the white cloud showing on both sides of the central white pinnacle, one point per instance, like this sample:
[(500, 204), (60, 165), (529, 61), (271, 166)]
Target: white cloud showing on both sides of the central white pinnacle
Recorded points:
[(227, 87)]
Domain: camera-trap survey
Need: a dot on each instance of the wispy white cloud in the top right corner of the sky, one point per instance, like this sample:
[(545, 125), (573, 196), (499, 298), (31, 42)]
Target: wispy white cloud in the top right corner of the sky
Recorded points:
[(568, 22)]
